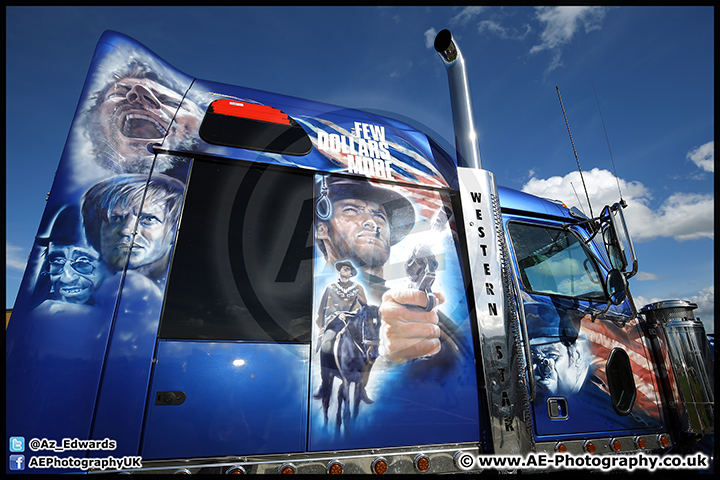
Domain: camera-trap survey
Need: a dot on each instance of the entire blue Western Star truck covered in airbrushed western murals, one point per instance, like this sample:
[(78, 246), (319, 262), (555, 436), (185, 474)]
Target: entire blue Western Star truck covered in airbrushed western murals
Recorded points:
[(227, 280)]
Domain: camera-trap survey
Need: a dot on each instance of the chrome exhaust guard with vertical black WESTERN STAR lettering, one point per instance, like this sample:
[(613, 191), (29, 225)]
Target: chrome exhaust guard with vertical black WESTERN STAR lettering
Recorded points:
[(496, 315)]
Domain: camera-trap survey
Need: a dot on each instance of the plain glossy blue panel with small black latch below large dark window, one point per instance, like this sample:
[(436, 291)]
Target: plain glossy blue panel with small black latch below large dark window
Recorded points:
[(241, 399)]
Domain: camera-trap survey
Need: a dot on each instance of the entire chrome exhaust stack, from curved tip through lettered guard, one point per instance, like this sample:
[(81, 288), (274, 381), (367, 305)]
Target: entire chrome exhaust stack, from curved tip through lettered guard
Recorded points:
[(501, 326)]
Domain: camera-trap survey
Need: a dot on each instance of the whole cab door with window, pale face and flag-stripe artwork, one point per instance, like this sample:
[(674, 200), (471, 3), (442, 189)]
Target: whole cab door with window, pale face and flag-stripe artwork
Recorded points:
[(581, 363)]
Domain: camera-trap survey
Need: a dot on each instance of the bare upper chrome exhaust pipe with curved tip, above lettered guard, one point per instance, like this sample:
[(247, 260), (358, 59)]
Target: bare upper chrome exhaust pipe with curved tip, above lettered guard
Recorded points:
[(466, 142)]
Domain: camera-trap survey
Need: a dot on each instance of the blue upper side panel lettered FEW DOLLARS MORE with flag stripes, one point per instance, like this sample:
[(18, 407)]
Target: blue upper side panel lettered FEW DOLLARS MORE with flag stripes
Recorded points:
[(338, 134)]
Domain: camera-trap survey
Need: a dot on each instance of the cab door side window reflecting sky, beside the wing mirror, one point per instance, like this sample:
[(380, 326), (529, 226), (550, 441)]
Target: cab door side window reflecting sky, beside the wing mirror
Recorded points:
[(553, 261)]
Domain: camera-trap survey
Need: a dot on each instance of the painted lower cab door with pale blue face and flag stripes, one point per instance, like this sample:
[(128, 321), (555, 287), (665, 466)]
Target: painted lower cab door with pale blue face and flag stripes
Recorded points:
[(570, 352)]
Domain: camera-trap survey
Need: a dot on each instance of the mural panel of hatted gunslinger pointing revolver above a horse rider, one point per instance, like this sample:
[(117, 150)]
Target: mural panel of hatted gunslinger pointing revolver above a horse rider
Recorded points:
[(392, 337)]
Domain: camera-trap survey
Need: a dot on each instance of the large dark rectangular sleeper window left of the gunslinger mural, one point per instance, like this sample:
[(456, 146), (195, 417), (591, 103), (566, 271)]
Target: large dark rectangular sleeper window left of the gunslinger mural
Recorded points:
[(242, 267)]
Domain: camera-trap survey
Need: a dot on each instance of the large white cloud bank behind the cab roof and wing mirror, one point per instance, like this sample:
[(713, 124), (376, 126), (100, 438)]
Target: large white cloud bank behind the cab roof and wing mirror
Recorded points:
[(682, 216)]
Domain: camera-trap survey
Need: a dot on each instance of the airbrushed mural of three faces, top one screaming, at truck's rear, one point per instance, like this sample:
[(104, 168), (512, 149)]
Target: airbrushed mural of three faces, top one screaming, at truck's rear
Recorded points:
[(103, 221)]
